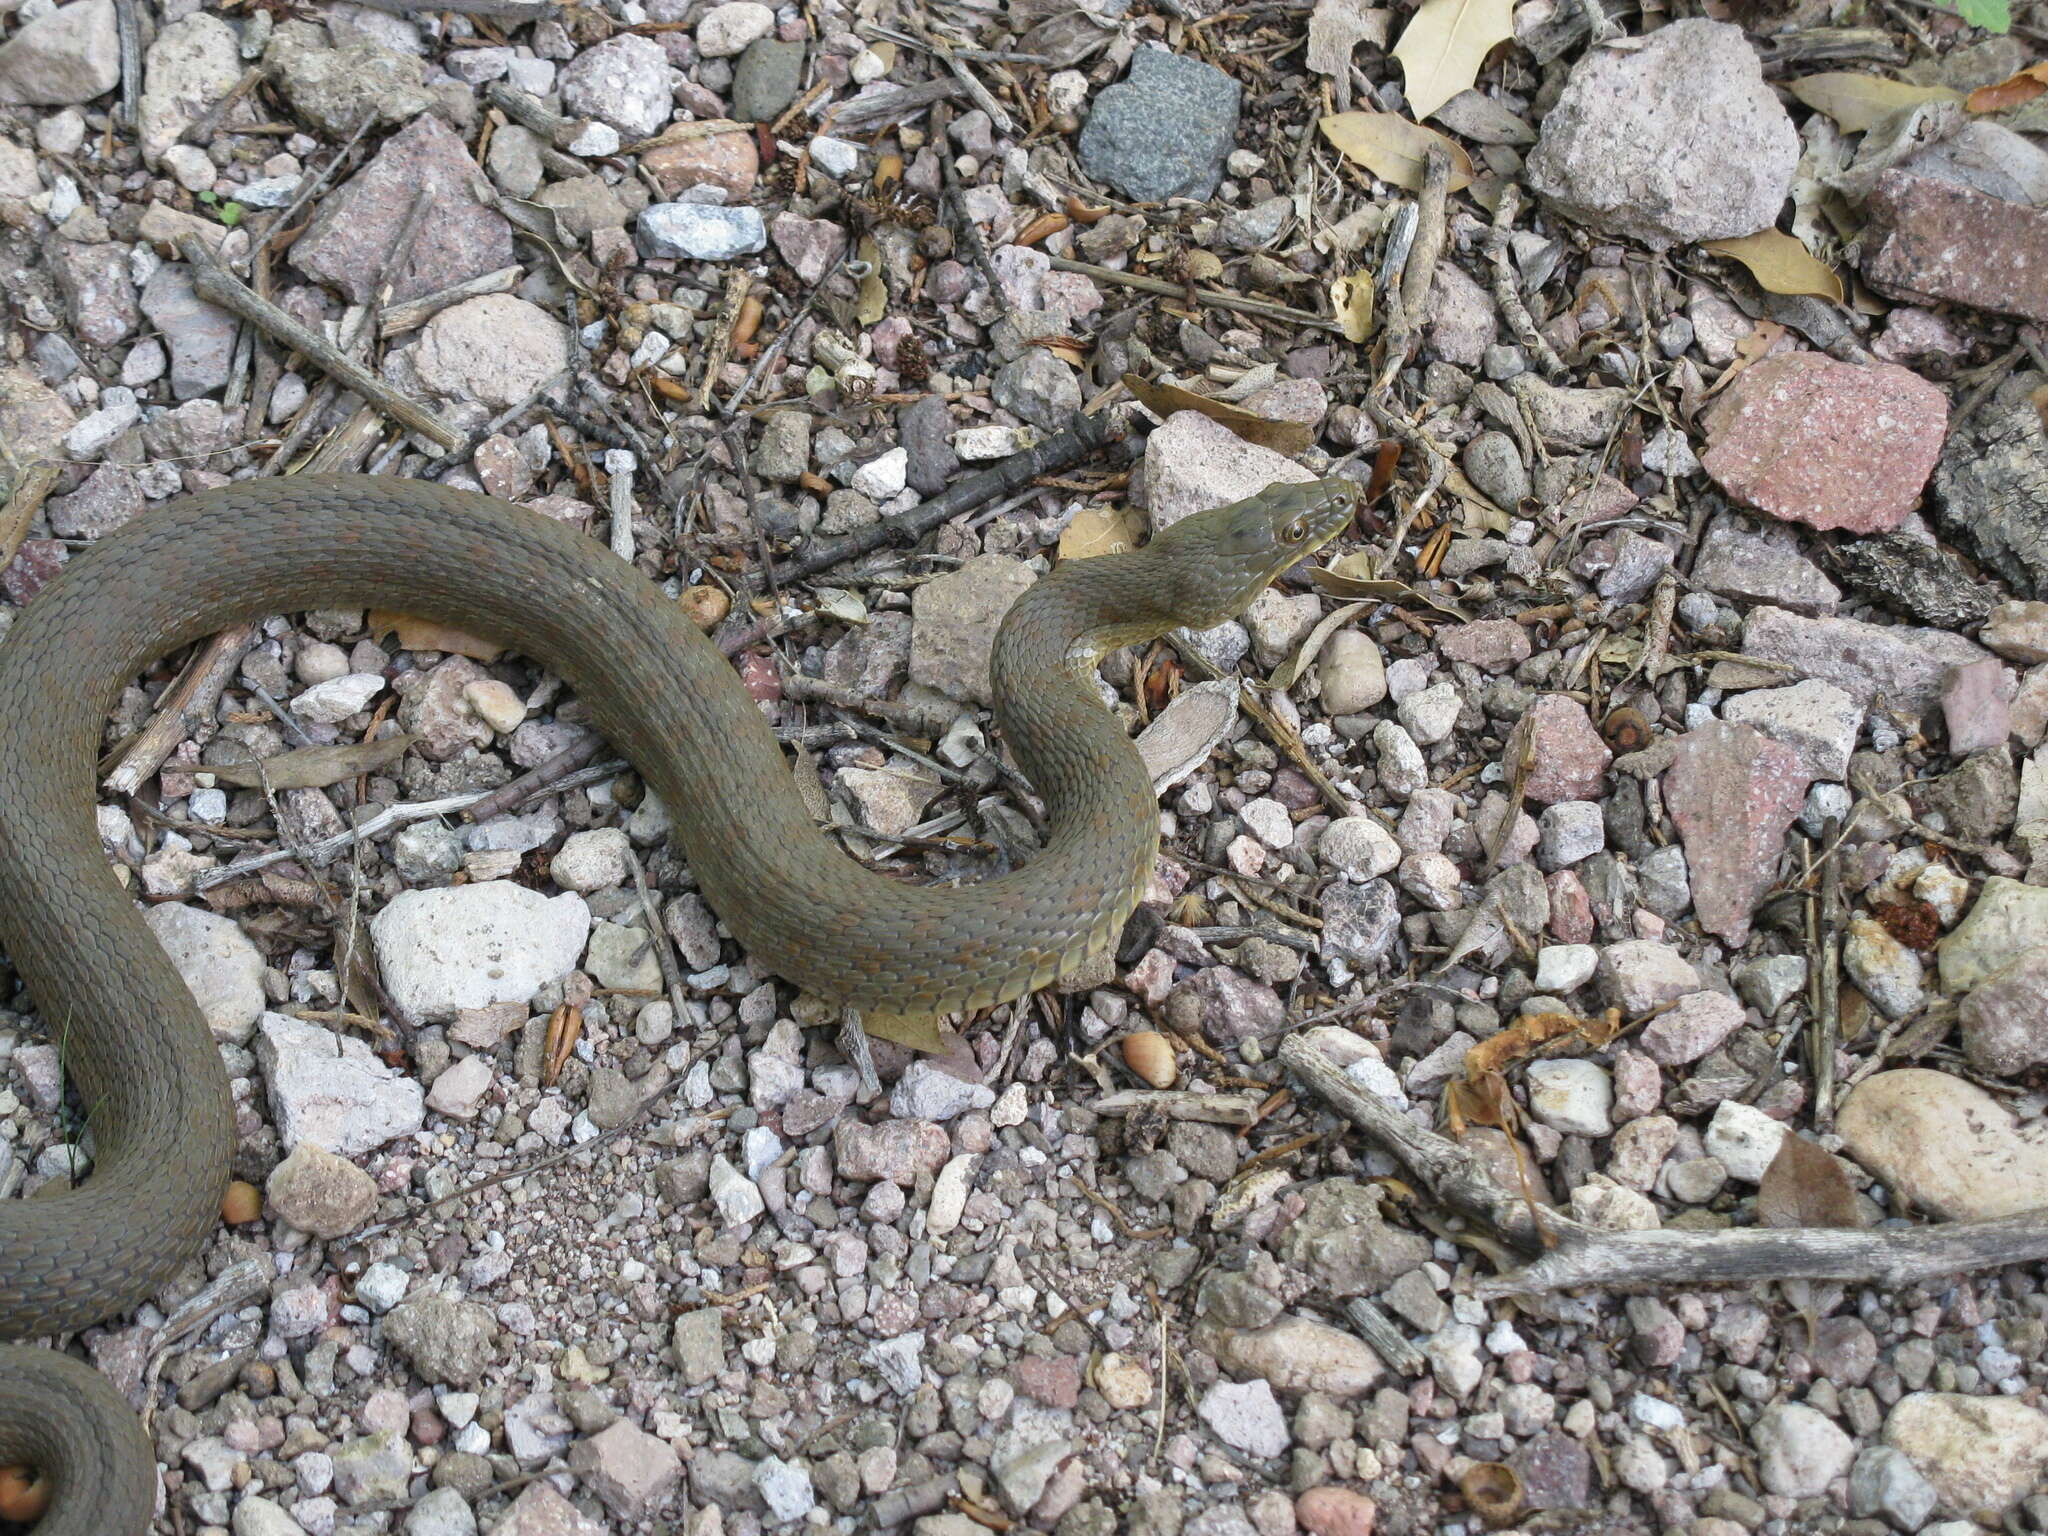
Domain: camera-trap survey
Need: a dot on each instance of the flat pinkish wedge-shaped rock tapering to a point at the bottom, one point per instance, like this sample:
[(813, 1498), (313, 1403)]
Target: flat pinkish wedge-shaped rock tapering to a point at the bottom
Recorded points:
[(1734, 794)]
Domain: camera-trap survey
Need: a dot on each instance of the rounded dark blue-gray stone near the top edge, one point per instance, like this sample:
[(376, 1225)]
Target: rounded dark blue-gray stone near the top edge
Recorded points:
[(1164, 130)]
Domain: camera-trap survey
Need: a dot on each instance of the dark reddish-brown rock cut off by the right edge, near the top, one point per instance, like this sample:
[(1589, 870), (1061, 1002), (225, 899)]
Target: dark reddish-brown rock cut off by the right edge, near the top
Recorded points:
[(1938, 243)]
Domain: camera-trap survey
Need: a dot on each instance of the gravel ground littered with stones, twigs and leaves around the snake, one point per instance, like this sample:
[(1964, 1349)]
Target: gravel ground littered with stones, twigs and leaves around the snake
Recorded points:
[(1654, 802)]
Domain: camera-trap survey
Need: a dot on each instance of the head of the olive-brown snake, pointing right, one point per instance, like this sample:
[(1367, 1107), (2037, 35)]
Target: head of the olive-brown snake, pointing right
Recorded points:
[(1224, 558)]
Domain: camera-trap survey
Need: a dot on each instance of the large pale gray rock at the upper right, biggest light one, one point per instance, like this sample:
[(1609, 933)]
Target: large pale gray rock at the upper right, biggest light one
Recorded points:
[(1670, 142)]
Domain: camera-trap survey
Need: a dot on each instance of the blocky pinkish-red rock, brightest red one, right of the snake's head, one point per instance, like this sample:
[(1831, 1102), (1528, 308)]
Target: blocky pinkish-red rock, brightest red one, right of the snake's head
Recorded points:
[(1828, 443)]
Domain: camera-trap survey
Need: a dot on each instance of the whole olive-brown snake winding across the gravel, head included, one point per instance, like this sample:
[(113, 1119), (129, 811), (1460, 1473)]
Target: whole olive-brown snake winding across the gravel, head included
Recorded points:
[(132, 1035)]
